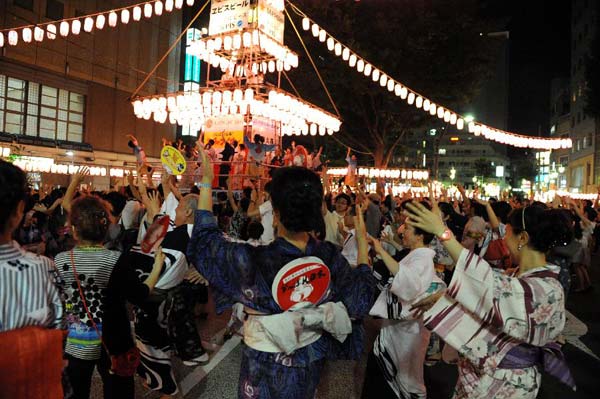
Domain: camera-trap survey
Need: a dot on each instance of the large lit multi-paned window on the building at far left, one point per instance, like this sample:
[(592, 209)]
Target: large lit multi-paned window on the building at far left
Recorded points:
[(32, 109)]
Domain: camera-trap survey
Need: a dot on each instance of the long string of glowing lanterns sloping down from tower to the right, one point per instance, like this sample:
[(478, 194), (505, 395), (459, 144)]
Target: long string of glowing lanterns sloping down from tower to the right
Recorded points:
[(419, 101)]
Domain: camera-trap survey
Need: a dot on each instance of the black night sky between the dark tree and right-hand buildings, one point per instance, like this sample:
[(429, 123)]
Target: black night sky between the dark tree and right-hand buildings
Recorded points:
[(539, 51)]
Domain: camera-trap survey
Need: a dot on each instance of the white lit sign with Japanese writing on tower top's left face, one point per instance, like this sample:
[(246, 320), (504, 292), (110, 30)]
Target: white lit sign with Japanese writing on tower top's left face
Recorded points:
[(228, 15)]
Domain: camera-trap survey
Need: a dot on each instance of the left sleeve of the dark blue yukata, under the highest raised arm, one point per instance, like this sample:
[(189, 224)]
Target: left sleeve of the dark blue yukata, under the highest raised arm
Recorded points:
[(225, 264)]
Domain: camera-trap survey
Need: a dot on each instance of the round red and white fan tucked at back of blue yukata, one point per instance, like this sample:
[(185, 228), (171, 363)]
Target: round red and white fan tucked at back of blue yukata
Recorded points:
[(305, 279)]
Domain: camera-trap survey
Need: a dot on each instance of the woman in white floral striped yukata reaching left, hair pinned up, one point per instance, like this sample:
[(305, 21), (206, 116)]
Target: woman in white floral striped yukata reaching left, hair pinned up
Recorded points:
[(504, 328)]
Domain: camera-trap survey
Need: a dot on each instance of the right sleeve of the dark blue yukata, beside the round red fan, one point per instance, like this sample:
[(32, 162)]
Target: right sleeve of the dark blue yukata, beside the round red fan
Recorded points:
[(354, 287)]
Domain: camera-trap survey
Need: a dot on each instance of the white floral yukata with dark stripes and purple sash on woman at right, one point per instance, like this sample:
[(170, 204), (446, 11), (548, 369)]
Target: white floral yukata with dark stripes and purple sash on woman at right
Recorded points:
[(492, 319)]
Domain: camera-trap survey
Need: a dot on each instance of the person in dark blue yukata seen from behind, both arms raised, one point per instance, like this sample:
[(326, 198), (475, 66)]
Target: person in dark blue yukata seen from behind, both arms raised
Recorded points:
[(303, 302)]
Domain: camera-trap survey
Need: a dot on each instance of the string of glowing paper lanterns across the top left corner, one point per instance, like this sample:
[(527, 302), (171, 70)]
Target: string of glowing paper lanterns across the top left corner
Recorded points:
[(73, 26)]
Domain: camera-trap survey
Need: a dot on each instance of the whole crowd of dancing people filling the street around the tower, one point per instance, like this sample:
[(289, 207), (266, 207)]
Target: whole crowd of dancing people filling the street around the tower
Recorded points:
[(302, 261)]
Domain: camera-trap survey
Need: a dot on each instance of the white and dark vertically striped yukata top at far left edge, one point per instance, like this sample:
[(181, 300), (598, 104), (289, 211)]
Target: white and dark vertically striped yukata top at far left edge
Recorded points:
[(28, 284)]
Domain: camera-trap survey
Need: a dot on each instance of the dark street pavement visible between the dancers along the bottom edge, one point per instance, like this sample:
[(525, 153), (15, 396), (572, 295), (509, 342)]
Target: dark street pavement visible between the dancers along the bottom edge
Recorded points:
[(343, 379)]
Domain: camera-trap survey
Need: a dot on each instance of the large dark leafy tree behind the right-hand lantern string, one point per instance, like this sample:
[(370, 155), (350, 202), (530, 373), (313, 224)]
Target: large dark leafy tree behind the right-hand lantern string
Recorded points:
[(431, 47)]
